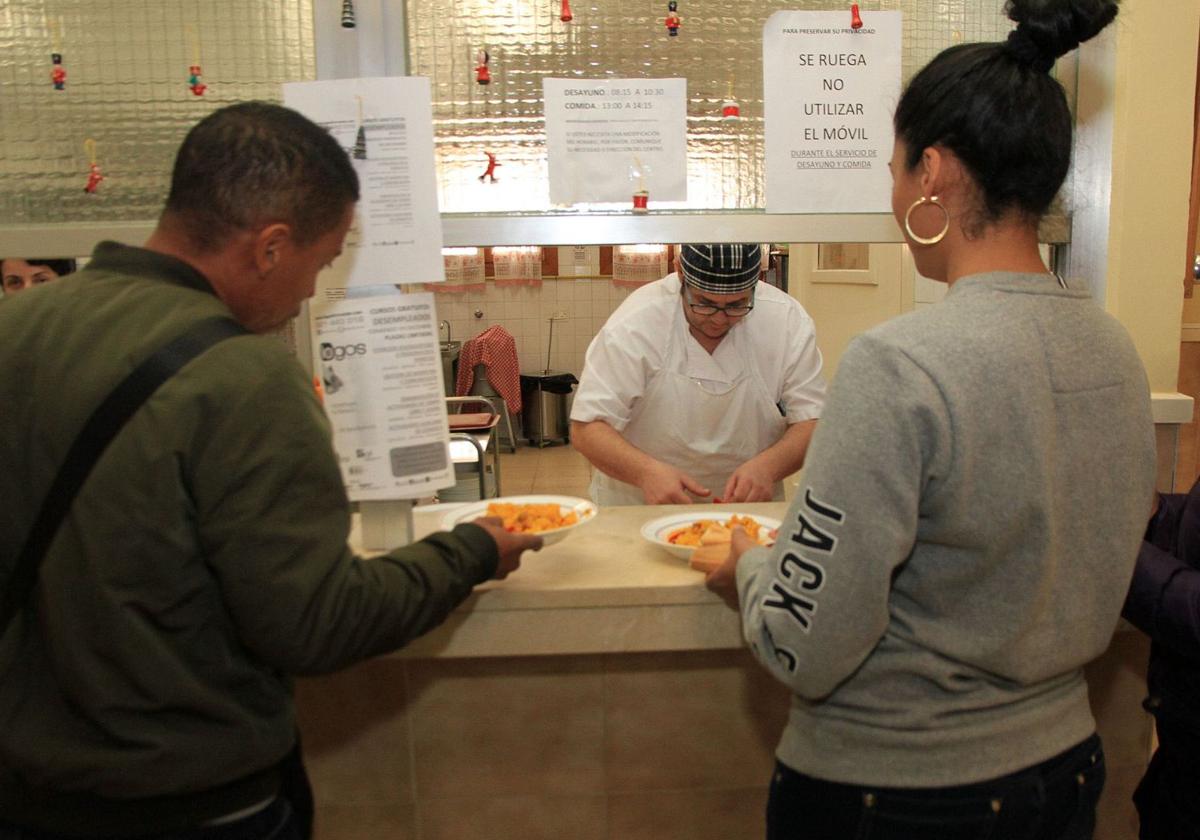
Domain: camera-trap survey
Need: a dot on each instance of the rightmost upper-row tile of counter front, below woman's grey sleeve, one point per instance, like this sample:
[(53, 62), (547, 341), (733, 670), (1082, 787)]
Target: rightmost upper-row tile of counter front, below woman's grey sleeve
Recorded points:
[(687, 721)]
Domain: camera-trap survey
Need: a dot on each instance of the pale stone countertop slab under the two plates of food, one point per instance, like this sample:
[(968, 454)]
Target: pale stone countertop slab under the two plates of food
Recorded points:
[(602, 590)]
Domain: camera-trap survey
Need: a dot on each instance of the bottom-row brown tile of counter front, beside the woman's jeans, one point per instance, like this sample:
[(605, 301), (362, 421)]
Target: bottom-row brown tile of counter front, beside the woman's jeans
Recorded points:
[(689, 815)]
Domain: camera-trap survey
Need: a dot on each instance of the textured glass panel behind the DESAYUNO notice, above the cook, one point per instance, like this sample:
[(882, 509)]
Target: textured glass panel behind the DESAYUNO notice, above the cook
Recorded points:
[(718, 50)]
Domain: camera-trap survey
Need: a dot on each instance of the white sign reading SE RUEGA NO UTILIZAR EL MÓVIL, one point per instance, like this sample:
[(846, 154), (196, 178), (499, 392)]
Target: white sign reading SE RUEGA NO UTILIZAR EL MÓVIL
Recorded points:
[(830, 93)]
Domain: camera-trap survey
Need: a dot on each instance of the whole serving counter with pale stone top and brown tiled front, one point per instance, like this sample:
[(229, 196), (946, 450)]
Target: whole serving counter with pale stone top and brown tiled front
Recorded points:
[(601, 693)]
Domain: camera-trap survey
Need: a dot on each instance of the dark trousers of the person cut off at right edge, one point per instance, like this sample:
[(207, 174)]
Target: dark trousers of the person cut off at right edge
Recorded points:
[(1168, 799)]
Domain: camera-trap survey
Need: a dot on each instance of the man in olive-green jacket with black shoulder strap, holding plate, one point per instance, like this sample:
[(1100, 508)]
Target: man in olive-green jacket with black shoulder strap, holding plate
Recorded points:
[(146, 686)]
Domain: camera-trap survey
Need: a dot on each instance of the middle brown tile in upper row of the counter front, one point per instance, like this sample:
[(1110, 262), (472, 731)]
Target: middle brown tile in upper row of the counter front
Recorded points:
[(508, 727)]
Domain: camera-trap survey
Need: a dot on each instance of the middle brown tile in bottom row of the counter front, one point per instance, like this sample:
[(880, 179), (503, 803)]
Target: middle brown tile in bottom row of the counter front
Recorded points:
[(515, 819)]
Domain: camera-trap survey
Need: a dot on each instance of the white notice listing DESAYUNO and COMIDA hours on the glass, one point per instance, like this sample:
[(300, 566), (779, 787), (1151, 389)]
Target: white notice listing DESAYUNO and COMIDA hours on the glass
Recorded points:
[(610, 139)]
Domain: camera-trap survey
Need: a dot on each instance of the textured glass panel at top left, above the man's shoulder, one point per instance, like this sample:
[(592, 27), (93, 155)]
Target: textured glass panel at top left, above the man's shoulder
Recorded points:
[(128, 88)]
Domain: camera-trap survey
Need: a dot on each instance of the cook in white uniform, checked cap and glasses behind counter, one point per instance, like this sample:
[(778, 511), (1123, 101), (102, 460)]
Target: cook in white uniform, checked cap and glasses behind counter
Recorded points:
[(706, 383)]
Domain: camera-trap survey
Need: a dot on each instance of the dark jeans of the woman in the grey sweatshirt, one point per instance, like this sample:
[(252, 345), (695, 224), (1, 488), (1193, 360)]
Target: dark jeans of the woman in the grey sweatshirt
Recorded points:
[(1053, 801)]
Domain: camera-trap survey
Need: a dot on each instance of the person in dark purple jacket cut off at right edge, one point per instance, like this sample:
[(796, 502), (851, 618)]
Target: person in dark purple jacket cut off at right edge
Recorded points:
[(1165, 603)]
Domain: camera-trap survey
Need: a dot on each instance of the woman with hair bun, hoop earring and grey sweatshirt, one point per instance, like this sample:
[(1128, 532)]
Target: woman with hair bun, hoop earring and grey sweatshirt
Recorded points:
[(974, 497)]
